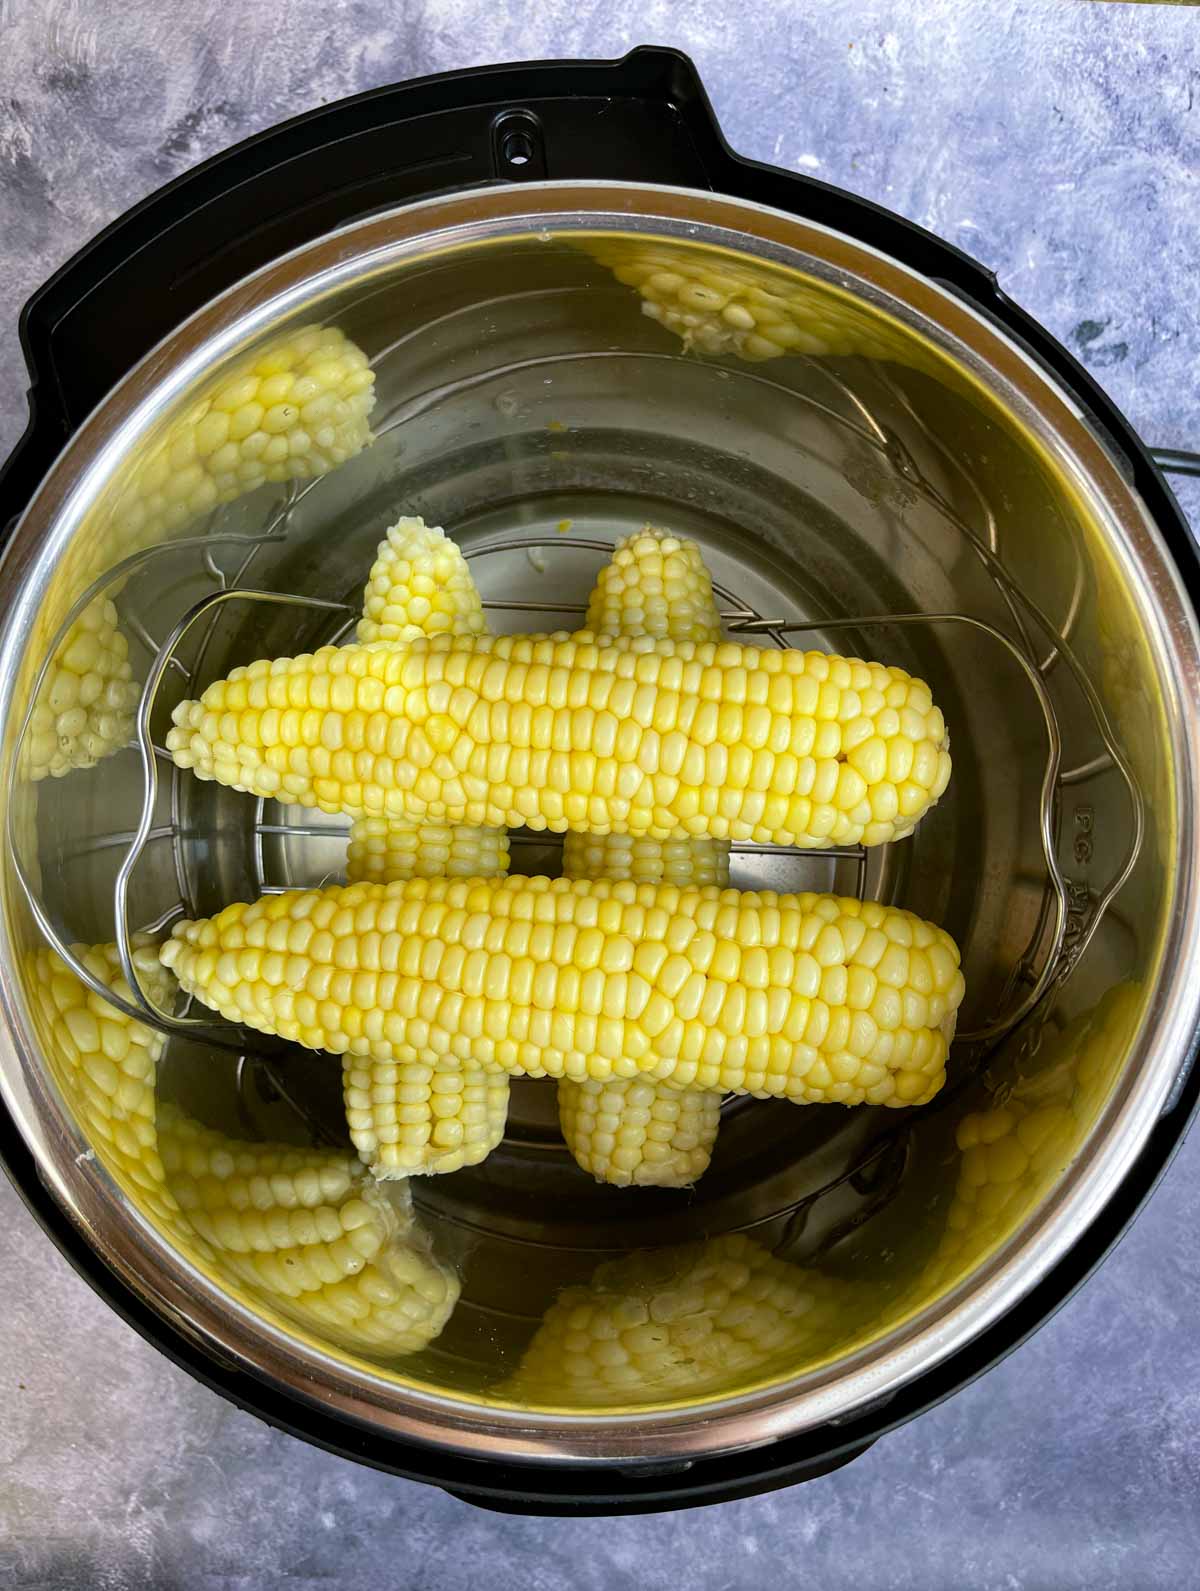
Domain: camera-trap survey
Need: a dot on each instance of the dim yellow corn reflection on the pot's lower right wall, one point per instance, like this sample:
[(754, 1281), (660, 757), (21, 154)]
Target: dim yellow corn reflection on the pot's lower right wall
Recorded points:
[(1016, 1153)]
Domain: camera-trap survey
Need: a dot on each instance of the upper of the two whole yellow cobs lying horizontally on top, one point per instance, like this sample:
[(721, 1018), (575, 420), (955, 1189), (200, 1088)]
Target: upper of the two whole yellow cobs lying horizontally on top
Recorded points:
[(564, 733)]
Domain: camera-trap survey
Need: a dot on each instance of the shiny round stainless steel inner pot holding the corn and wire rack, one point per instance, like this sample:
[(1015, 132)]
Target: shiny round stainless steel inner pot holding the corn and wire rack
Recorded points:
[(892, 480)]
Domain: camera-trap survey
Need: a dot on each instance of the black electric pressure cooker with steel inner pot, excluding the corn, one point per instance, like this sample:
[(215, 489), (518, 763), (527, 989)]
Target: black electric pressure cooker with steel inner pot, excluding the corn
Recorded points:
[(582, 314)]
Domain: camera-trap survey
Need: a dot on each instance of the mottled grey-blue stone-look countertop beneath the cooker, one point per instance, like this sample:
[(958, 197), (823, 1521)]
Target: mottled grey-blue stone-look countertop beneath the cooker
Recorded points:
[(1061, 144)]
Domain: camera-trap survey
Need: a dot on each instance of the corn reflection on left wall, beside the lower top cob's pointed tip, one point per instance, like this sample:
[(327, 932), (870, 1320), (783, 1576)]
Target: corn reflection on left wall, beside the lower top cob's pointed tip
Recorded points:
[(106, 1064)]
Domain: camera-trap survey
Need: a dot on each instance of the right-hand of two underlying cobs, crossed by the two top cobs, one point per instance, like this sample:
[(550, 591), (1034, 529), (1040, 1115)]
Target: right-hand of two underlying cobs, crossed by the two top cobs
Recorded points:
[(631, 1130)]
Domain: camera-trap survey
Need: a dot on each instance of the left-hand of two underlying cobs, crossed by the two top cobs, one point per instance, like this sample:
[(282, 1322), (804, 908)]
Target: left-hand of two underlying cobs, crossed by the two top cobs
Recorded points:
[(423, 1119)]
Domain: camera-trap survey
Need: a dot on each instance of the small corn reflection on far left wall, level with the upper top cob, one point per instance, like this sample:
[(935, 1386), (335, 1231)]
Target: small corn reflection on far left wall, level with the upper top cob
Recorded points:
[(88, 699)]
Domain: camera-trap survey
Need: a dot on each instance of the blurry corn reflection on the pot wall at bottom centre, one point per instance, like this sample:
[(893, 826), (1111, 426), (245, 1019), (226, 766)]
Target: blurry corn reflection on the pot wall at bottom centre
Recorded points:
[(690, 1321)]
